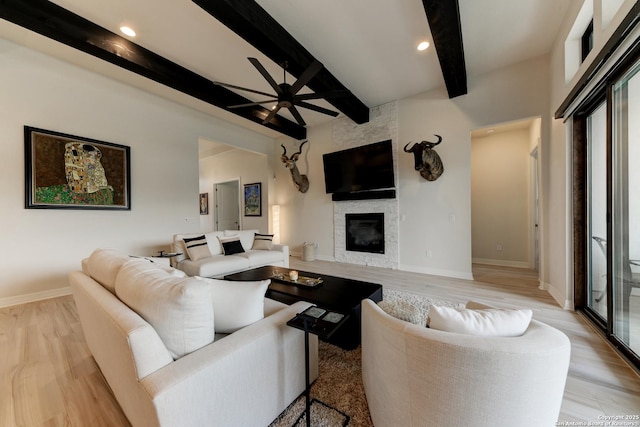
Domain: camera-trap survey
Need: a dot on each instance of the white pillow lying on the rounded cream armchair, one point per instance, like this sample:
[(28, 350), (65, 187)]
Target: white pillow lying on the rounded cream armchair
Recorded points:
[(493, 322)]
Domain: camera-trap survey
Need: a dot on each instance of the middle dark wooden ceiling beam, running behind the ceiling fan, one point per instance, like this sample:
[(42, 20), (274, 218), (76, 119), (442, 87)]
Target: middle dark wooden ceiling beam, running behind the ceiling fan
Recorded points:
[(251, 22)]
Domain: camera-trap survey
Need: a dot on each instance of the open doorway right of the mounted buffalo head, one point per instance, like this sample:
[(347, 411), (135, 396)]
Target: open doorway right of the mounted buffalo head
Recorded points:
[(504, 194)]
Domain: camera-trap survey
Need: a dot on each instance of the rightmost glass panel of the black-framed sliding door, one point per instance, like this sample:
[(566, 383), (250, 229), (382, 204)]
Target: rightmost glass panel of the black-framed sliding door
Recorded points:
[(626, 209)]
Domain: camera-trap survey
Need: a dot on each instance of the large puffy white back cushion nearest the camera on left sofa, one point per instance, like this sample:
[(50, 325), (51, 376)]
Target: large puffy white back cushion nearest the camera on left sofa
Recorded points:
[(179, 309)]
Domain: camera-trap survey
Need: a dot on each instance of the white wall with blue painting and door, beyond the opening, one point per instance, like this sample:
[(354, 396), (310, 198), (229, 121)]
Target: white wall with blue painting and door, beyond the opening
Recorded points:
[(248, 167)]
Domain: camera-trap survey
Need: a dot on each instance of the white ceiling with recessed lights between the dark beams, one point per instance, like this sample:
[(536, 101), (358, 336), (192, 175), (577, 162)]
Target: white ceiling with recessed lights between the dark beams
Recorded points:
[(370, 46)]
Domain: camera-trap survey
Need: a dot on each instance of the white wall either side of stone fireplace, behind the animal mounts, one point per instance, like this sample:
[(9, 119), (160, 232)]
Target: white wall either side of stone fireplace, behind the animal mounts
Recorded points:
[(434, 216)]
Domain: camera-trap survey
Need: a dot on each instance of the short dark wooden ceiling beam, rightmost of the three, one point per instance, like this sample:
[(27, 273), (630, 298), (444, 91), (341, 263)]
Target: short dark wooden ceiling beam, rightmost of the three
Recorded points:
[(444, 21)]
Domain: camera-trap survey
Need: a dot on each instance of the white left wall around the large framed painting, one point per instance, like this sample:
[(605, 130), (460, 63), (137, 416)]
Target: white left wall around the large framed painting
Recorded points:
[(40, 246)]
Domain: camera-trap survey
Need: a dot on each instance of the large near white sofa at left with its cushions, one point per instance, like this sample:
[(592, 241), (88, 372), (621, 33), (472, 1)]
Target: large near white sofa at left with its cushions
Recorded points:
[(182, 351)]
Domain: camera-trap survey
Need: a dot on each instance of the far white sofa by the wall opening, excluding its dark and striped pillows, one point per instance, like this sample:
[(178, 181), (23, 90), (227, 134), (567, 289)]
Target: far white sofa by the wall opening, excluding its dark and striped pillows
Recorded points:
[(218, 264)]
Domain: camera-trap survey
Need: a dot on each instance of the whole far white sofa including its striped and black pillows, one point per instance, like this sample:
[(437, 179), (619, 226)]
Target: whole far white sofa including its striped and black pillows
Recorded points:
[(222, 255)]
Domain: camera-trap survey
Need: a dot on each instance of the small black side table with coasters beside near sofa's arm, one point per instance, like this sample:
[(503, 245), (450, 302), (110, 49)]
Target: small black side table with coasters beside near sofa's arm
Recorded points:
[(320, 322)]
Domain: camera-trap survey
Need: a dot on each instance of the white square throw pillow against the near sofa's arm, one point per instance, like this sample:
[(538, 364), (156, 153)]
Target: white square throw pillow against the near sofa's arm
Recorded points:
[(236, 304)]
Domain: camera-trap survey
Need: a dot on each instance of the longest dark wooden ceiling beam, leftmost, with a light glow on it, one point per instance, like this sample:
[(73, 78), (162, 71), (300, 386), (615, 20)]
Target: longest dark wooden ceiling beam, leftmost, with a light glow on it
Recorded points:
[(59, 24)]
